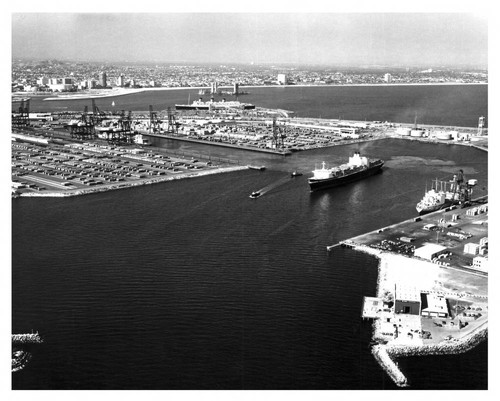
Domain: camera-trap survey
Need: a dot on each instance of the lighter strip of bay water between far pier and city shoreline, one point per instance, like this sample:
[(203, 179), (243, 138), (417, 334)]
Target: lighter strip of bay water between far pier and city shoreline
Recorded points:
[(454, 105)]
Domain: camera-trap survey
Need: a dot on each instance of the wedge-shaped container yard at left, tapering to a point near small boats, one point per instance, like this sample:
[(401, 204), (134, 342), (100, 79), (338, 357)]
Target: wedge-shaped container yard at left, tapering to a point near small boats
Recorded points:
[(68, 169)]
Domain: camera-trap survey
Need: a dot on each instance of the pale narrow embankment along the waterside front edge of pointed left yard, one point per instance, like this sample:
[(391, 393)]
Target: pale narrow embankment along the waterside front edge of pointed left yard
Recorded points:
[(106, 188)]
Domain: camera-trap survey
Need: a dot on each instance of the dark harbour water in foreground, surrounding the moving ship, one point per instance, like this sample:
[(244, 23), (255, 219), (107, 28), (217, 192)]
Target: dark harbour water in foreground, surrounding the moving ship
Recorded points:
[(193, 285)]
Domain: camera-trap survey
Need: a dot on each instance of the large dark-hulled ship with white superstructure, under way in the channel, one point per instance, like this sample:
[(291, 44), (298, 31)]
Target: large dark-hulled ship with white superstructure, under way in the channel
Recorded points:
[(356, 169)]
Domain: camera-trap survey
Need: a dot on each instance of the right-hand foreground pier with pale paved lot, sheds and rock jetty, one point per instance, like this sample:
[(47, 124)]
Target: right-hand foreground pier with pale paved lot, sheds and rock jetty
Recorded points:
[(432, 295)]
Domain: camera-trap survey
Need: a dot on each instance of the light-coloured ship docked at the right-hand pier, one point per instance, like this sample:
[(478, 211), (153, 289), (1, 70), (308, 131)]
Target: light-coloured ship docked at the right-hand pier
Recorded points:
[(446, 193)]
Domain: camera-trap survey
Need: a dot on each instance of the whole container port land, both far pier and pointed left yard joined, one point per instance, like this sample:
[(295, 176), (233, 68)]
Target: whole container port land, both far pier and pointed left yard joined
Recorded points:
[(72, 153)]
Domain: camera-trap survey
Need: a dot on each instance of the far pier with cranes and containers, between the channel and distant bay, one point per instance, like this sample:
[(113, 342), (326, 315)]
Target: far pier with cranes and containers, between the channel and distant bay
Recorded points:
[(258, 129)]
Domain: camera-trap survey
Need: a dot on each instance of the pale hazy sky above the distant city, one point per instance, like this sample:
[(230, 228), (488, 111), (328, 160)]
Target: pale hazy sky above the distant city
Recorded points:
[(322, 38)]
